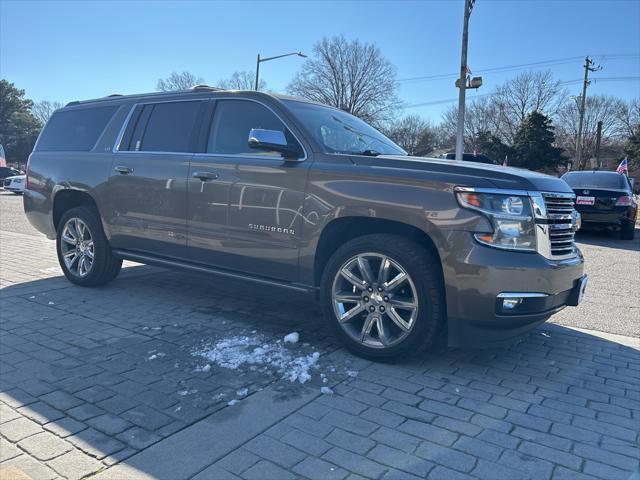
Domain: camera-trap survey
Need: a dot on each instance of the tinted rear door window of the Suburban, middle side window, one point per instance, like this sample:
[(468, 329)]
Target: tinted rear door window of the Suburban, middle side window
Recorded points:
[(169, 127)]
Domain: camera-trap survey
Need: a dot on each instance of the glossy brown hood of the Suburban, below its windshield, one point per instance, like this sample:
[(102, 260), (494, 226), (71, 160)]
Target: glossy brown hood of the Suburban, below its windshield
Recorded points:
[(498, 176)]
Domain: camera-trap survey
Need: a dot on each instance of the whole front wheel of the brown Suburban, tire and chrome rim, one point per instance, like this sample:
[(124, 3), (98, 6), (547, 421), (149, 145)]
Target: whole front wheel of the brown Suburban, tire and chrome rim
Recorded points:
[(383, 295)]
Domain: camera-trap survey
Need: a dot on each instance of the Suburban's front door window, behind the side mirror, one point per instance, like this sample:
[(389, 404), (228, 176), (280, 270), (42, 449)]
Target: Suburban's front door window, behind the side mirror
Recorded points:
[(232, 122)]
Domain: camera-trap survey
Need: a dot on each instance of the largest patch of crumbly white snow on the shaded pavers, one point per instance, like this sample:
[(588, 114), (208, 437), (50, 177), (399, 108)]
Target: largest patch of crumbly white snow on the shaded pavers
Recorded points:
[(239, 351)]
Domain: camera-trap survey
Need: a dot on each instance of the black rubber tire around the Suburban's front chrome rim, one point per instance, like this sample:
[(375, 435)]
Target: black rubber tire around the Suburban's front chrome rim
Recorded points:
[(424, 270)]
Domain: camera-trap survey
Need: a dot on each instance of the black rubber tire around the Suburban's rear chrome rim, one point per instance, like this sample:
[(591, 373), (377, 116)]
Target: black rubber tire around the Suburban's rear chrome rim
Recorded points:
[(105, 266)]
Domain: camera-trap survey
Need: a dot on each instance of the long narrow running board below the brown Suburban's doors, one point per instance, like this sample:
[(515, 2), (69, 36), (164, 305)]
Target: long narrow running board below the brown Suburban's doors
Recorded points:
[(161, 262)]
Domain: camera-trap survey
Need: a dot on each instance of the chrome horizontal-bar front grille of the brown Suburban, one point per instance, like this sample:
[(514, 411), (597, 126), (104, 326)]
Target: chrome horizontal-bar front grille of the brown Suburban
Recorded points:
[(560, 219)]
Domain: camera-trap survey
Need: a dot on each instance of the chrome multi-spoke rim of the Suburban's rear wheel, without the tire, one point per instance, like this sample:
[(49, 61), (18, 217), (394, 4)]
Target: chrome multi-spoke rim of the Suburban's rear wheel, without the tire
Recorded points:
[(77, 248)]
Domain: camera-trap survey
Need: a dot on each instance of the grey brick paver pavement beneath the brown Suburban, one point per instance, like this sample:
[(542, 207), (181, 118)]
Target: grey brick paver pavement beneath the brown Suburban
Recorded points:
[(105, 381)]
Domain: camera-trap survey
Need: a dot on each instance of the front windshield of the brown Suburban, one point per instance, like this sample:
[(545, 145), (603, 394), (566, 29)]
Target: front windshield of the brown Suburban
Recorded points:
[(341, 132)]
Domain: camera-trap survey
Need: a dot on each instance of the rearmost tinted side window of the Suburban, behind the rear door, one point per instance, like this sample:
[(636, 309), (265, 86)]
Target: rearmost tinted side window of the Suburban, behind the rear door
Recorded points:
[(75, 130)]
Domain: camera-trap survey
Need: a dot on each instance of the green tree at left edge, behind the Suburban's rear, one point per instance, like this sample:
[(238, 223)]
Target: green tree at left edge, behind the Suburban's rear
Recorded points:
[(19, 129)]
